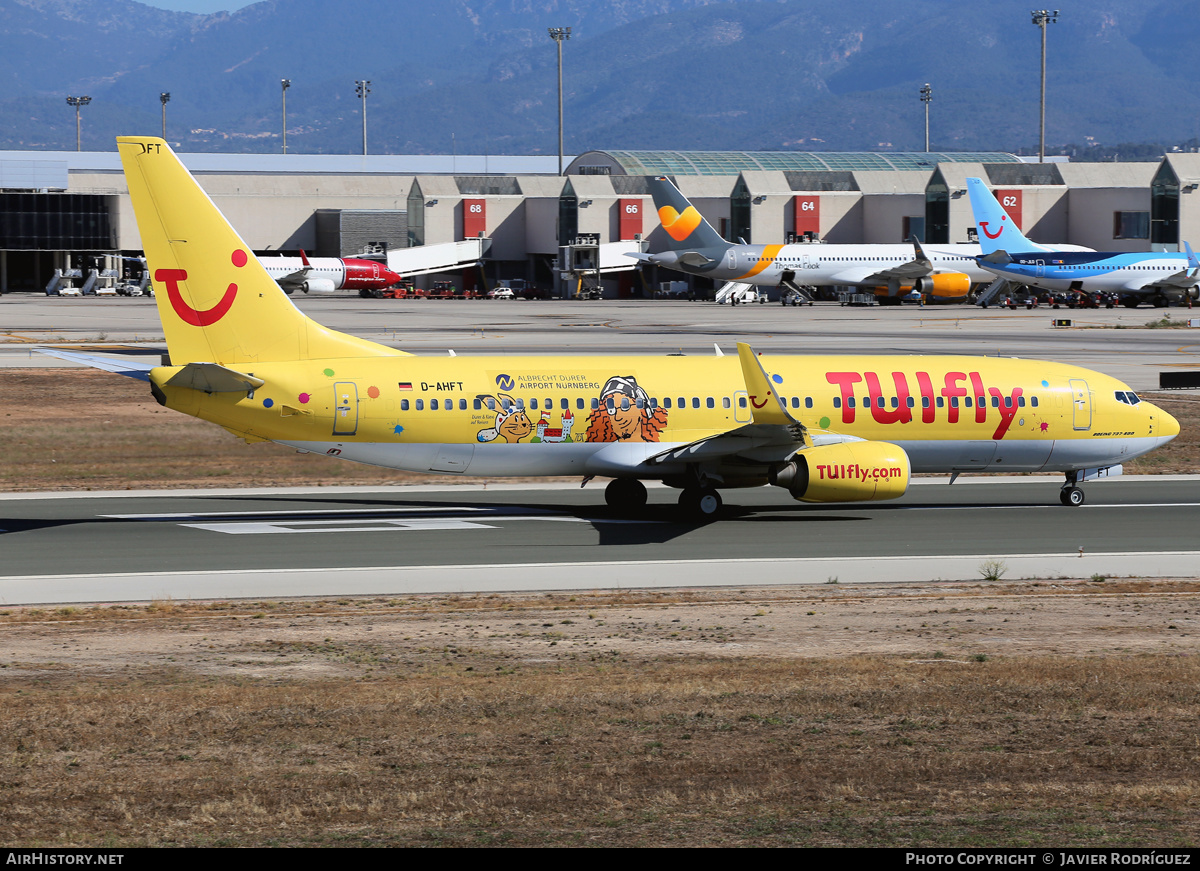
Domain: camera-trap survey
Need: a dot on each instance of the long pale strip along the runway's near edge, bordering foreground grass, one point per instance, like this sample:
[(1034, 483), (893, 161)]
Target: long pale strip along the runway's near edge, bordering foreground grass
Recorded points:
[(412, 580)]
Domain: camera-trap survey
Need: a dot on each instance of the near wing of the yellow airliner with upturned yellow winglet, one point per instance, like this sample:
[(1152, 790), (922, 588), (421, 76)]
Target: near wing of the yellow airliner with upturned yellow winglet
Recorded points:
[(773, 435)]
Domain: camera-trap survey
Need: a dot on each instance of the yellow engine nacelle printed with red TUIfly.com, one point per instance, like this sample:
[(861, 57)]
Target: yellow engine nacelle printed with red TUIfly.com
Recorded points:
[(847, 472)]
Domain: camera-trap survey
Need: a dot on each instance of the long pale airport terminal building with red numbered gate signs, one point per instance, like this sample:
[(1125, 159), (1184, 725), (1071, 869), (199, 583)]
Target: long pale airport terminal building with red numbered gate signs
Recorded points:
[(71, 211)]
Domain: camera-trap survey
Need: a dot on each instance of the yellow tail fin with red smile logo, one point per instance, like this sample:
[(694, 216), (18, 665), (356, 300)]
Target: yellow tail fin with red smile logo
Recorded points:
[(217, 302)]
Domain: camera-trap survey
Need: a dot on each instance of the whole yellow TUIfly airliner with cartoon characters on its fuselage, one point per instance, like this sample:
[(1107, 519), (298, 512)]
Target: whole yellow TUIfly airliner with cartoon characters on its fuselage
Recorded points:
[(826, 429)]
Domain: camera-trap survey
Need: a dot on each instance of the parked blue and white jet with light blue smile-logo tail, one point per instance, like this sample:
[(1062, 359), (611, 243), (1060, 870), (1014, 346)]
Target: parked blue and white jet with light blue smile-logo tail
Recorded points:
[(1136, 278)]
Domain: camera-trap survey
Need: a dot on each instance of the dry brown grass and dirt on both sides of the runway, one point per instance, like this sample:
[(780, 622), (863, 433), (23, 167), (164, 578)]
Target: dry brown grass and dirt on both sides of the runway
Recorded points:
[(1058, 713)]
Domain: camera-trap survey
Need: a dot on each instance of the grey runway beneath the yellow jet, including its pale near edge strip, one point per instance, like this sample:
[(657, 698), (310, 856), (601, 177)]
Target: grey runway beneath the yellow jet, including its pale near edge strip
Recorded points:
[(62, 549)]
